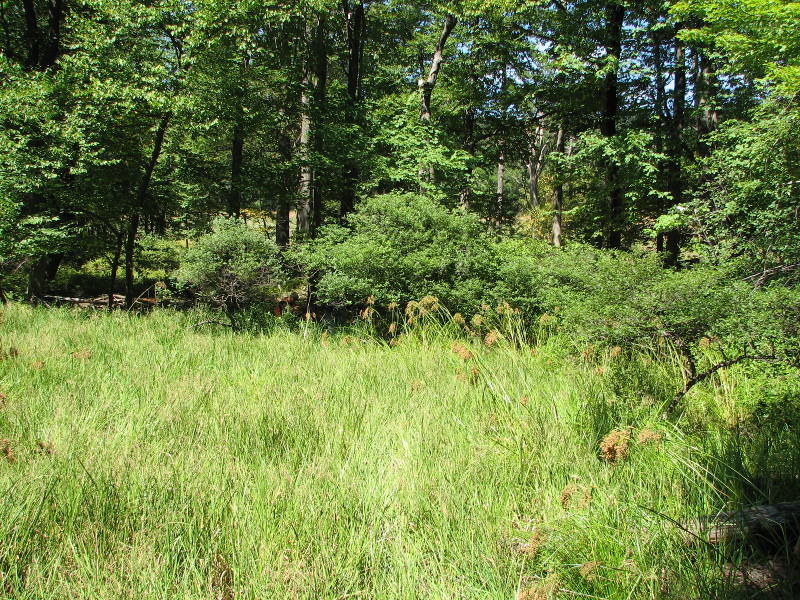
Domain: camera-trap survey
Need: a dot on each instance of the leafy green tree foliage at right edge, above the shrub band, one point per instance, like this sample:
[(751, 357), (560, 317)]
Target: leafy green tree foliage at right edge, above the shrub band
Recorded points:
[(748, 207)]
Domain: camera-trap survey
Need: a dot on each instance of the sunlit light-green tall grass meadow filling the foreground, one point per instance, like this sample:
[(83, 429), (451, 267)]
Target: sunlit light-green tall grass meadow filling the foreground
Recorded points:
[(144, 459)]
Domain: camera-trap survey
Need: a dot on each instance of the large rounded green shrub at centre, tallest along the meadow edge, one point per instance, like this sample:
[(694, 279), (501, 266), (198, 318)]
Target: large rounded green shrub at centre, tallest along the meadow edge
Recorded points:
[(401, 247)]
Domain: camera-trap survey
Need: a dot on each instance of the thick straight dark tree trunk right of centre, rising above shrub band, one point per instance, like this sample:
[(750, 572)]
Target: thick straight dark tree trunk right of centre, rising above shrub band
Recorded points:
[(615, 17)]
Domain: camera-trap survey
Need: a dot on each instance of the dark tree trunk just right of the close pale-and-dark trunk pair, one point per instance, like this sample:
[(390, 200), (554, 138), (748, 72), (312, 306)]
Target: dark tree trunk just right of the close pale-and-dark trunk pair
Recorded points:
[(355, 30)]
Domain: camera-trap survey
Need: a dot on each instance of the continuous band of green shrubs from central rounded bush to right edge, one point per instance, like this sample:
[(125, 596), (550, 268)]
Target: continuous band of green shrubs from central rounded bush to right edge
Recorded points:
[(400, 248)]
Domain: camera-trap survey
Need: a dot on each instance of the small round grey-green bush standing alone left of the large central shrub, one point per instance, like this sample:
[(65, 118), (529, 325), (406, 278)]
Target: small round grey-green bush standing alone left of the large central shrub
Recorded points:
[(231, 267)]
